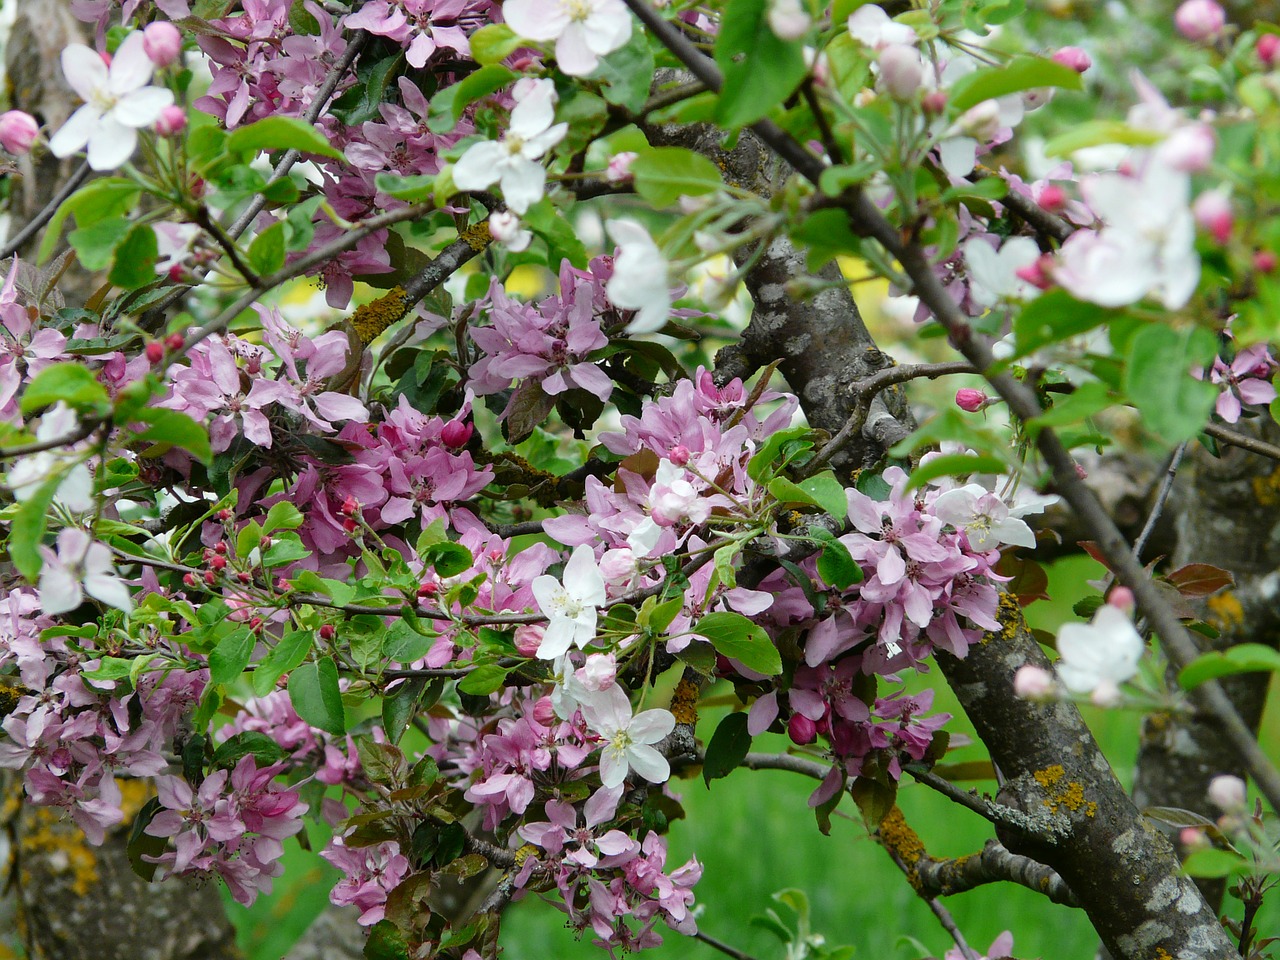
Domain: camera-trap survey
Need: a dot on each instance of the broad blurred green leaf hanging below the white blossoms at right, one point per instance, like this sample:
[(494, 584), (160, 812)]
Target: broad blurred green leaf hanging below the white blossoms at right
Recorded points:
[(1173, 404)]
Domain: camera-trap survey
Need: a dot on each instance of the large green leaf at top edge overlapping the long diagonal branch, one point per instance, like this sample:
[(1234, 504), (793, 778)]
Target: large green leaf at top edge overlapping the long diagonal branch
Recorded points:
[(761, 70)]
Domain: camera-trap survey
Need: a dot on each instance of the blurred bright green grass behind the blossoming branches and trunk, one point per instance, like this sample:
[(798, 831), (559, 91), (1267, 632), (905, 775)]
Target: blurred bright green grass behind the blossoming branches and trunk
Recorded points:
[(756, 835)]
